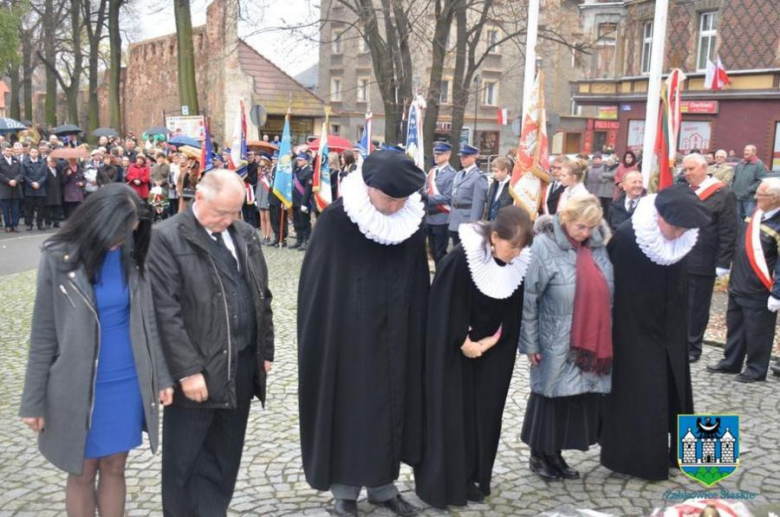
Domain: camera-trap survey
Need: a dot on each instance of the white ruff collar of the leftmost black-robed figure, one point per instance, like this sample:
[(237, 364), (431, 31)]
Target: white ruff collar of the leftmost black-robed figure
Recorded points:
[(381, 228)]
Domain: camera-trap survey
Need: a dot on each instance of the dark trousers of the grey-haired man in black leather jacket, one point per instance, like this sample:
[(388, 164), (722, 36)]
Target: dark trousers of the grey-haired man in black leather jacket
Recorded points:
[(202, 450)]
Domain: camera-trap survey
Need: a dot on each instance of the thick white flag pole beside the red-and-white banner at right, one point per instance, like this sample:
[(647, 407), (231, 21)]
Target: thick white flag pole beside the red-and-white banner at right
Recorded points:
[(654, 88)]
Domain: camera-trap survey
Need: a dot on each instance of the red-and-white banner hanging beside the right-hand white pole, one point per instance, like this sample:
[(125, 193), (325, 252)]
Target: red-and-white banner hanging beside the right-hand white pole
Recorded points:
[(669, 119)]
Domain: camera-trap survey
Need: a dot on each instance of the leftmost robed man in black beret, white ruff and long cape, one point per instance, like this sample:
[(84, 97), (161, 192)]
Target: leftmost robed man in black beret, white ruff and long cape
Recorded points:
[(362, 303)]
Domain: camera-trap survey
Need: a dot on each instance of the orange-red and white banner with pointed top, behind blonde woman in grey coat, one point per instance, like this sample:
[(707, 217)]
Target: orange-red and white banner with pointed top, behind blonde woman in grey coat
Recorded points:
[(530, 171)]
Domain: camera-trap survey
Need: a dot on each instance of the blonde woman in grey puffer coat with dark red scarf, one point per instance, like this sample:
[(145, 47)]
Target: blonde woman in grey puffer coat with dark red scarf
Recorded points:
[(566, 333)]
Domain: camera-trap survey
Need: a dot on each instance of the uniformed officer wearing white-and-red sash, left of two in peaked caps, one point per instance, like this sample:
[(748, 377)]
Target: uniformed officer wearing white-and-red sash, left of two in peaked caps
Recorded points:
[(438, 197)]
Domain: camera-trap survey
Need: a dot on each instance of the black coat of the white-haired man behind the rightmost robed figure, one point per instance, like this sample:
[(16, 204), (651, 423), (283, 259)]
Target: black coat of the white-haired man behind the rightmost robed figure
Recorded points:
[(715, 245)]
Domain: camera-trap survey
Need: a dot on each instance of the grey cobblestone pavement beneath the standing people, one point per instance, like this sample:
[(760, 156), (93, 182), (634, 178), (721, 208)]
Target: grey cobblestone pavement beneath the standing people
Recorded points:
[(271, 481)]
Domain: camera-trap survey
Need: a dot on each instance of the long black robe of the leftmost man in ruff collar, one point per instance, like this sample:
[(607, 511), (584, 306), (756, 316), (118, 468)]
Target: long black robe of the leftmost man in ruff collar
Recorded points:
[(361, 329)]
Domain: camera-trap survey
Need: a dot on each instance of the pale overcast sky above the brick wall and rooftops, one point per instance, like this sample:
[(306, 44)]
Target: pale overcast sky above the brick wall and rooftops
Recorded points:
[(291, 52)]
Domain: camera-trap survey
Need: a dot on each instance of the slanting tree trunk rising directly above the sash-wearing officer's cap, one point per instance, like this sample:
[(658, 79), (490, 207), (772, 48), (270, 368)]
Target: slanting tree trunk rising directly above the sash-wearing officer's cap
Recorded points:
[(438, 53)]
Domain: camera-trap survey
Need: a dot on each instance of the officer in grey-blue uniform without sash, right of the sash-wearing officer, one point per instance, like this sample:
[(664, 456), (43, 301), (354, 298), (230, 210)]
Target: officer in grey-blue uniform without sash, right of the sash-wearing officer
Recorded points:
[(469, 192)]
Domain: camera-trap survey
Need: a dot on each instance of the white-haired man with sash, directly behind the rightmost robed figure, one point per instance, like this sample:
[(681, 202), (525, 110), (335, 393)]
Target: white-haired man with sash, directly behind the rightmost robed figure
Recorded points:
[(714, 248)]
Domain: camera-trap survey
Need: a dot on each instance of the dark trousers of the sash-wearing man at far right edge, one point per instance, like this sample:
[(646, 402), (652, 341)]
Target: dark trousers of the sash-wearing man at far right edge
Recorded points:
[(750, 333)]
